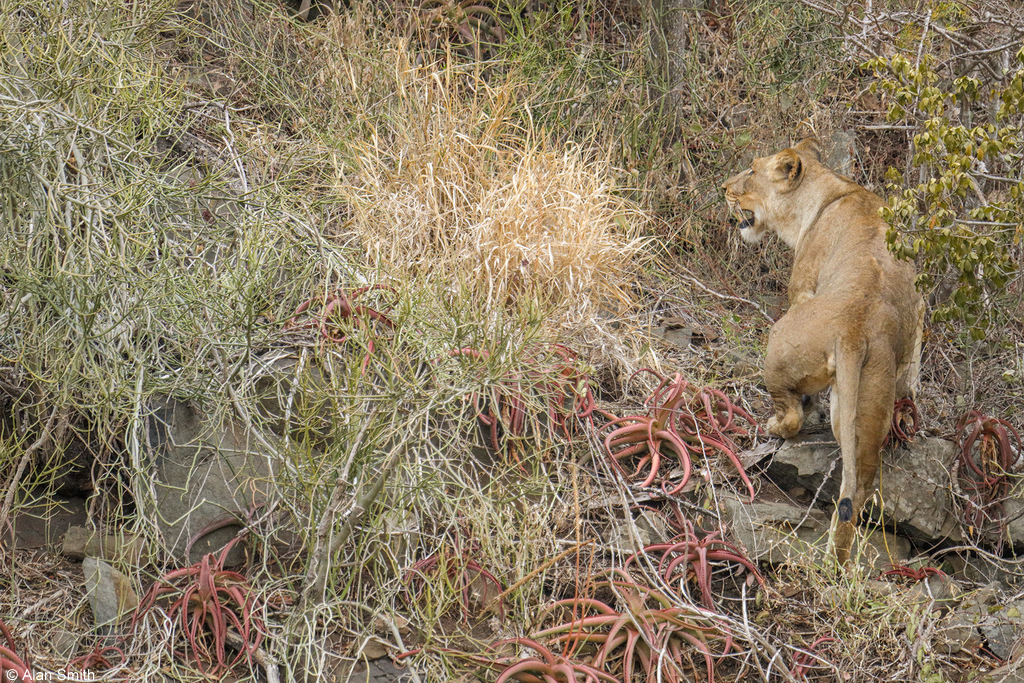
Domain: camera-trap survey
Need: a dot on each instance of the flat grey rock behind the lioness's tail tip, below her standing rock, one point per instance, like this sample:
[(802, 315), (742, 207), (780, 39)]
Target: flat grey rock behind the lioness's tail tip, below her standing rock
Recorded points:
[(781, 532)]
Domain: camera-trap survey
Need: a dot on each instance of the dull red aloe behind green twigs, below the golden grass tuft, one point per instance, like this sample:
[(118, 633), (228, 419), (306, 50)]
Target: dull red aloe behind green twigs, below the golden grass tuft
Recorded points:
[(549, 372)]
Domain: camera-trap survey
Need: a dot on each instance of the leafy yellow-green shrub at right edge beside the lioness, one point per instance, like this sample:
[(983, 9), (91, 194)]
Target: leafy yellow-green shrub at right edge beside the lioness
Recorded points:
[(963, 220)]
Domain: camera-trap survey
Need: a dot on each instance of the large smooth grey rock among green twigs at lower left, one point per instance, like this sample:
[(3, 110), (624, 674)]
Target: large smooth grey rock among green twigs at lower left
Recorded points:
[(208, 477)]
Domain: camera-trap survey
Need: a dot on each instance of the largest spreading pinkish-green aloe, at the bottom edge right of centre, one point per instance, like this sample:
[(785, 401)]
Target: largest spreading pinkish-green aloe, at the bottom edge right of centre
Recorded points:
[(652, 632)]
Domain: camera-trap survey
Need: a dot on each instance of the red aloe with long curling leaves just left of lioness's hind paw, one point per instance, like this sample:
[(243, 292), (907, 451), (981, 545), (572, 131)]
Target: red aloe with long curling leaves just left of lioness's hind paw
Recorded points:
[(682, 419)]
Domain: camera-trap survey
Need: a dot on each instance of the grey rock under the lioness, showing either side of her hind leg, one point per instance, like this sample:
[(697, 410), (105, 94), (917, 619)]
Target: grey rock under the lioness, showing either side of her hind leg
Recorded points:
[(914, 483)]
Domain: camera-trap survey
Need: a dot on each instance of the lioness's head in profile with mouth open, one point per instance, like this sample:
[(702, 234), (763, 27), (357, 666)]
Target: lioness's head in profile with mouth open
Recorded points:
[(761, 197)]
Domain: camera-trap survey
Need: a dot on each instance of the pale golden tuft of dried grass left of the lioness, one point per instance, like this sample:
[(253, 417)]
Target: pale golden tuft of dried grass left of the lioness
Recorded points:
[(453, 187)]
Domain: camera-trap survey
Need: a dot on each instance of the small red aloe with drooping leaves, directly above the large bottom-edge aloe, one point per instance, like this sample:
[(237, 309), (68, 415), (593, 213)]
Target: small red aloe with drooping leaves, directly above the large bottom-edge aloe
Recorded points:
[(688, 556)]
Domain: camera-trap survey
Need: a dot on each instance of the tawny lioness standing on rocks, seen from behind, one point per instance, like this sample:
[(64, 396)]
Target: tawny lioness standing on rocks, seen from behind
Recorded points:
[(855, 321)]
